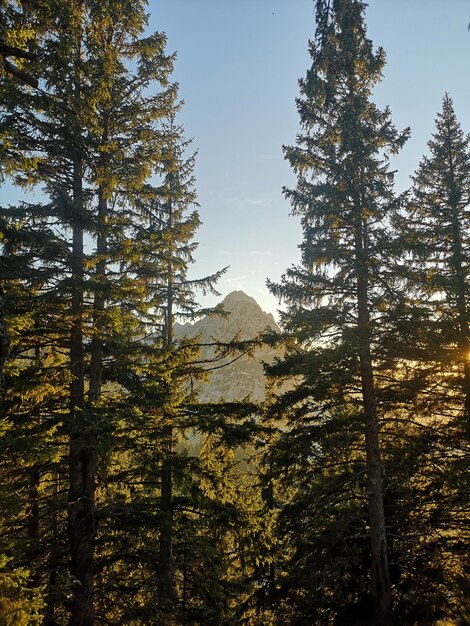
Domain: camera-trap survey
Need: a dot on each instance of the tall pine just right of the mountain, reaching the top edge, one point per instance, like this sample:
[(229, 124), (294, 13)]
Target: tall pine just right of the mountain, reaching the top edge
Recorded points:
[(345, 198)]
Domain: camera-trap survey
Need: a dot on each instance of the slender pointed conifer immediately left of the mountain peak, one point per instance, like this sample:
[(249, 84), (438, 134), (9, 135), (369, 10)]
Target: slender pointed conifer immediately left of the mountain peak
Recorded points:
[(171, 500)]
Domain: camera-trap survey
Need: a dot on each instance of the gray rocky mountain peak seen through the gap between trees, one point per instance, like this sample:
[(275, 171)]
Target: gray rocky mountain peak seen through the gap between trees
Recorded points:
[(243, 378)]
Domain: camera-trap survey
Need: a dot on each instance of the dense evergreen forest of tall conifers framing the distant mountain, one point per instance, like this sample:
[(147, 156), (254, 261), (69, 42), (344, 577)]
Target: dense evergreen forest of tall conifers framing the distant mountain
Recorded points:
[(342, 498)]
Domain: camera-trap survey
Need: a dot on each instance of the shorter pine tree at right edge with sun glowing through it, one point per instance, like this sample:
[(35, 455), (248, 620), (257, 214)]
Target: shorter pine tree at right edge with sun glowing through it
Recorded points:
[(432, 337)]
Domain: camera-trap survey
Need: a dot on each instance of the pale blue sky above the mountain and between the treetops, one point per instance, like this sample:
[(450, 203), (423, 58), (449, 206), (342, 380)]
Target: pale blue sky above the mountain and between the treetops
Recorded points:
[(238, 63)]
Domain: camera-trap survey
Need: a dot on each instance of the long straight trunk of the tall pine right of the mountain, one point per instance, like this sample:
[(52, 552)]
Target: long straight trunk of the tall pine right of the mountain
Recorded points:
[(380, 578)]
